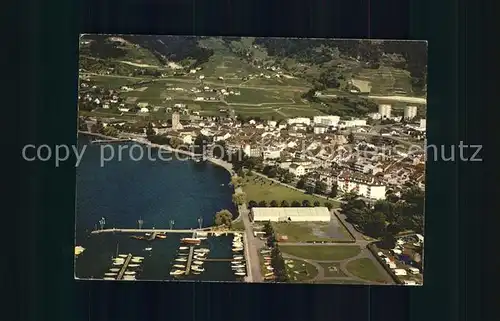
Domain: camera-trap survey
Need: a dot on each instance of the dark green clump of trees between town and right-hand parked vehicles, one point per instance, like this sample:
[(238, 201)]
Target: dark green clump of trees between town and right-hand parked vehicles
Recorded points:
[(386, 218)]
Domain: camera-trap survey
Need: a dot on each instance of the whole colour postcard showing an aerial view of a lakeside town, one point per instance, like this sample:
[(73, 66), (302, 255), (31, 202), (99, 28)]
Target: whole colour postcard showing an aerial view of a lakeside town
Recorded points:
[(247, 159)]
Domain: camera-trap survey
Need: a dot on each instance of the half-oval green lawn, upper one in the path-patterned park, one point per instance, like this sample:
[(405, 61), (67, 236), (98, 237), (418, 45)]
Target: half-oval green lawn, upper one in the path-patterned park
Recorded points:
[(322, 252)]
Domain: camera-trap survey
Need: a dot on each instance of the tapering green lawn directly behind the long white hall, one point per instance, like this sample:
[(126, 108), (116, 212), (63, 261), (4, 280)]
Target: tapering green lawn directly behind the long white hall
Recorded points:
[(258, 188)]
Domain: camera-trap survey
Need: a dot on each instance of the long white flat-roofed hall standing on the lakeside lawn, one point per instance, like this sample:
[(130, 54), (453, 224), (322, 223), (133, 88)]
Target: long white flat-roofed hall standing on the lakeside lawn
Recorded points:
[(291, 214)]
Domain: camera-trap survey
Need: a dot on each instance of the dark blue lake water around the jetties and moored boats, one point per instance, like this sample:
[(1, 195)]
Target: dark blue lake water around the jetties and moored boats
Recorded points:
[(158, 192)]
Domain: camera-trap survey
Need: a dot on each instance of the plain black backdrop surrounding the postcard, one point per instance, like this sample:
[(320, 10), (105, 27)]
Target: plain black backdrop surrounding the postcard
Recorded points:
[(42, 70)]
